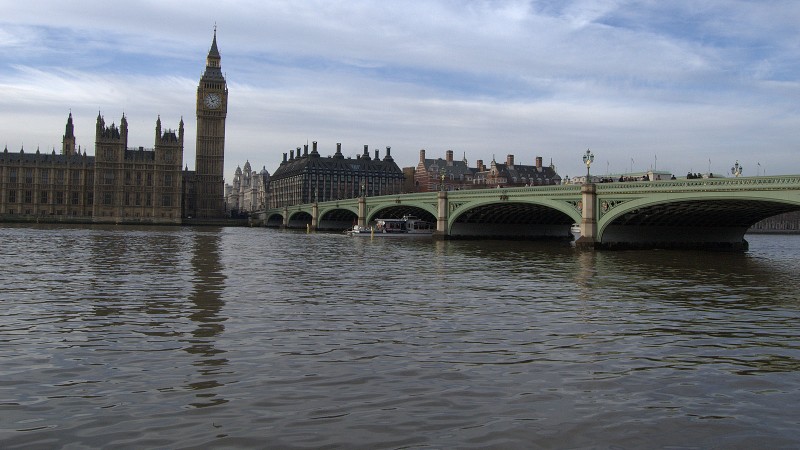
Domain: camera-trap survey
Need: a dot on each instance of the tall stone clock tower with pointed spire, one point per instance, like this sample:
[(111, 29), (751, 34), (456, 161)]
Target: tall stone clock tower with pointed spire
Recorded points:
[(212, 107)]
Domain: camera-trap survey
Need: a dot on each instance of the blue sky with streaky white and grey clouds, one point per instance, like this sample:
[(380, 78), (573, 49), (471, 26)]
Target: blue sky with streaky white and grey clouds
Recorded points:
[(679, 85)]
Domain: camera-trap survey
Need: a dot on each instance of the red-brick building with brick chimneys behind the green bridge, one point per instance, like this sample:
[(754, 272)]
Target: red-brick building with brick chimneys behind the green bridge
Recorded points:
[(433, 174)]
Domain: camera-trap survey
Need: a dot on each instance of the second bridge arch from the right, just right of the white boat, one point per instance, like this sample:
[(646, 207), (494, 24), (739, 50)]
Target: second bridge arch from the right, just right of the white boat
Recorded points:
[(512, 218)]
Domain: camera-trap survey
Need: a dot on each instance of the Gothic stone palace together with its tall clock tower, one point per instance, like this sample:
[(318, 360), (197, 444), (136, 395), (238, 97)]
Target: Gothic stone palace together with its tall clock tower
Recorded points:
[(122, 184)]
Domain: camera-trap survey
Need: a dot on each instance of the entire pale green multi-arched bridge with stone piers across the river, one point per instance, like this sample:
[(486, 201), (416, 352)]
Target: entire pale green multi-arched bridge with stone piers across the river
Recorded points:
[(709, 213)]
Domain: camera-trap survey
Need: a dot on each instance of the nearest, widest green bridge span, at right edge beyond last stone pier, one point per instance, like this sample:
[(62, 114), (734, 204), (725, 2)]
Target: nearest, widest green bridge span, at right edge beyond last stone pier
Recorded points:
[(711, 213)]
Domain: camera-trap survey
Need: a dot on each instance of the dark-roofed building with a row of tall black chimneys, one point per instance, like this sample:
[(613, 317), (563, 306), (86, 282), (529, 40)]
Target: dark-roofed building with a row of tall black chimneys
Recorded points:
[(309, 177)]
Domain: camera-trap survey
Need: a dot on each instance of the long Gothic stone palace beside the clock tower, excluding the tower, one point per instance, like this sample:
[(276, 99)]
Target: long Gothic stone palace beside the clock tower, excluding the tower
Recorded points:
[(117, 185)]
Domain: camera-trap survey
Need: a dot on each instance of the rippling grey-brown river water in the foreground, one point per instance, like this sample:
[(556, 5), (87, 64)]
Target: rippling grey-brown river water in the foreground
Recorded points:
[(239, 337)]
